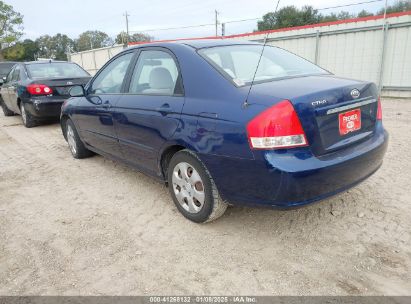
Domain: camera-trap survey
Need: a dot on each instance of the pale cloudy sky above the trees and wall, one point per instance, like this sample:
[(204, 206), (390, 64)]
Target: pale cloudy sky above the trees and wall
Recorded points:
[(73, 17)]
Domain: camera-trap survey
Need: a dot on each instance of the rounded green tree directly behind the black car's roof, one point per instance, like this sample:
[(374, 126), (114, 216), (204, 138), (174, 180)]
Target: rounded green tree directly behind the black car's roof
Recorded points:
[(54, 47)]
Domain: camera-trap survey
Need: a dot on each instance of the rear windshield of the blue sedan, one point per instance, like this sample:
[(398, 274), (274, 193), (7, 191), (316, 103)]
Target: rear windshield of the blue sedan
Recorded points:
[(239, 63)]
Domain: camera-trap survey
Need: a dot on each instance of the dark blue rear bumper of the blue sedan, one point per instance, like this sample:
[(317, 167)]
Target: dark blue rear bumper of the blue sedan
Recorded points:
[(295, 177)]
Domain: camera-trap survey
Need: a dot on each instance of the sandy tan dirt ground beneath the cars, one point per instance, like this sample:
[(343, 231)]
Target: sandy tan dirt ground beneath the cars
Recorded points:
[(96, 227)]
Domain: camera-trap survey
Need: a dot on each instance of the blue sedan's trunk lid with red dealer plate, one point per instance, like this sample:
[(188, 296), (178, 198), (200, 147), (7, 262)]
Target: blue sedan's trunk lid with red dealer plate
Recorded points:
[(334, 112)]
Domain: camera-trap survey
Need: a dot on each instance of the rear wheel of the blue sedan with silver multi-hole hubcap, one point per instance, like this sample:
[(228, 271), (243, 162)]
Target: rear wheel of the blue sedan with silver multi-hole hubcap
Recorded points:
[(192, 188)]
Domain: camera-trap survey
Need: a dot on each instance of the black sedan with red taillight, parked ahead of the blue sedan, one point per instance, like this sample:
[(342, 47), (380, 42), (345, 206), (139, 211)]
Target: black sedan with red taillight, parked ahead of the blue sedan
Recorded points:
[(36, 90)]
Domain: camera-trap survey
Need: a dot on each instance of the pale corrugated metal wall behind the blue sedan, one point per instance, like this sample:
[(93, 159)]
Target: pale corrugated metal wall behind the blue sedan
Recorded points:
[(364, 49)]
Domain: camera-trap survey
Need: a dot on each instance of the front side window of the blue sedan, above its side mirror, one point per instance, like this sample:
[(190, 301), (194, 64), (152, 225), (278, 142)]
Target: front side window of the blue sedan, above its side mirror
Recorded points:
[(111, 78)]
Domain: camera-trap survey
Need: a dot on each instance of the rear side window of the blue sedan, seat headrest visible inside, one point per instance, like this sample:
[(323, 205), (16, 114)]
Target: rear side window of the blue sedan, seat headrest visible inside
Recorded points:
[(156, 73)]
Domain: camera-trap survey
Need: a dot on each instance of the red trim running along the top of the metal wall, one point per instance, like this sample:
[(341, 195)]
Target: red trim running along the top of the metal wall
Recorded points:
[(393, 15)]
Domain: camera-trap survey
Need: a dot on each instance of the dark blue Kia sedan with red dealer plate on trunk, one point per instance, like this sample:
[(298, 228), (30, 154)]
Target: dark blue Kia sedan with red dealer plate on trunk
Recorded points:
[(201, 117)]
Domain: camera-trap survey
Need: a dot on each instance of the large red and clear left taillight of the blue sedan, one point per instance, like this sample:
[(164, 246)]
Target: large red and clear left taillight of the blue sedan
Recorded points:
[(276, 128)]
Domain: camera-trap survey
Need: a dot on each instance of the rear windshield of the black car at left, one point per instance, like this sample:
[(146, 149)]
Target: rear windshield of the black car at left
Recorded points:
[(55, 70)]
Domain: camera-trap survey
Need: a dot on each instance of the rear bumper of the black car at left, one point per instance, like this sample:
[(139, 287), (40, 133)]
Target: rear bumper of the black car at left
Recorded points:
[(43, 108)]
